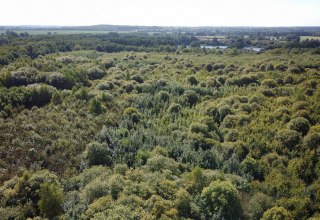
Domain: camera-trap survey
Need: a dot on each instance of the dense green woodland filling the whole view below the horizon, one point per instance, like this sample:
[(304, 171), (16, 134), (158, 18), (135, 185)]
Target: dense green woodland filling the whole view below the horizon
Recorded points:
[(143, 125)]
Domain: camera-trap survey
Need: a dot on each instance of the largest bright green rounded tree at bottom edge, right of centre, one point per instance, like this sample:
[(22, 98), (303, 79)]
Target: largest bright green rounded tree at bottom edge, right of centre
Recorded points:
[(220, 200)]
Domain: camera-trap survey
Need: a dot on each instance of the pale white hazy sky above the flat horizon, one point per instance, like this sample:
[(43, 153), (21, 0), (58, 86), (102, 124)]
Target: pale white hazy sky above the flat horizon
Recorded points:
[(162, 12)]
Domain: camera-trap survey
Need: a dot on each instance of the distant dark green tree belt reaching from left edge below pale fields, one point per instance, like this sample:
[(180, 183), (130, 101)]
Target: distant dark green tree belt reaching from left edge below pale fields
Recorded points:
[(15, 45)]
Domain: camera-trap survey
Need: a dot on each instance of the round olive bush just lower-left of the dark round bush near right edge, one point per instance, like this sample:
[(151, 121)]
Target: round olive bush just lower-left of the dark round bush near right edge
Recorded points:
[(288, 138)]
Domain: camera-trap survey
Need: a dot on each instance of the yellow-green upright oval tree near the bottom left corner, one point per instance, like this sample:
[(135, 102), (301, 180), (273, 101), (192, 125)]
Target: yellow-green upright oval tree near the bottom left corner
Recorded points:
[(51, 198)]
